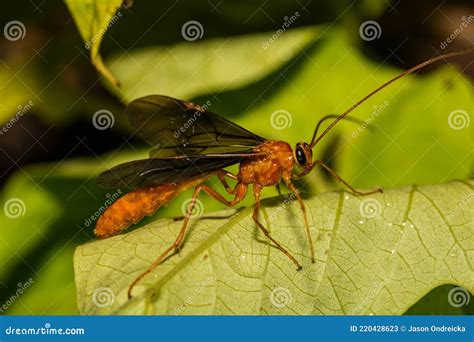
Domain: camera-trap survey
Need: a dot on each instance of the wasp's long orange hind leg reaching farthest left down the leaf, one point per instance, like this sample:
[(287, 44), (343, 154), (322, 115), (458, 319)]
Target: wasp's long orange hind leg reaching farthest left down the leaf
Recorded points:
[(240, 192)]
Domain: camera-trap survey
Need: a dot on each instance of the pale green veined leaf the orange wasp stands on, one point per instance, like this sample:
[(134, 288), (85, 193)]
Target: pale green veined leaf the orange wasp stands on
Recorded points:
[(374, 255)]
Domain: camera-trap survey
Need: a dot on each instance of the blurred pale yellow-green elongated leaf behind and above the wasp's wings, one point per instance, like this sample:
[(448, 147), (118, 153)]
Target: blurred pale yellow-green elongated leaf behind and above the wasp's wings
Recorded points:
[(190, 69)]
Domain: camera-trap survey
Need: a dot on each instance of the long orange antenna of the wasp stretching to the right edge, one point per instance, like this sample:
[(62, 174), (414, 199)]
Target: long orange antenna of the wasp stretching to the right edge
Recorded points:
[(315, 140)]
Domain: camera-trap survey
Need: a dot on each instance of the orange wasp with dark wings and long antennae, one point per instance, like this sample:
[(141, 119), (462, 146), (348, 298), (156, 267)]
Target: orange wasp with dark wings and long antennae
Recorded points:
[(193, 144)]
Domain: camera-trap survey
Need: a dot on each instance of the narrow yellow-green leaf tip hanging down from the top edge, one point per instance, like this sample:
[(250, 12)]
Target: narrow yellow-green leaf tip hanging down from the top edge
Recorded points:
[(93, 18)]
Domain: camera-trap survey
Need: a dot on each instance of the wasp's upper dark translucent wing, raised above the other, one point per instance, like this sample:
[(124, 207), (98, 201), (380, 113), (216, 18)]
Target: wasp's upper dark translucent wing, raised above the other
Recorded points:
[(177, 128)]
